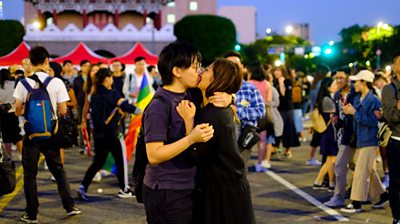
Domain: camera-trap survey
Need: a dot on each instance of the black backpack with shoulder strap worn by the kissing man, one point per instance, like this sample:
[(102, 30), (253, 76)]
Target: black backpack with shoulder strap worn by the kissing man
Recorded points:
[(141, 160)]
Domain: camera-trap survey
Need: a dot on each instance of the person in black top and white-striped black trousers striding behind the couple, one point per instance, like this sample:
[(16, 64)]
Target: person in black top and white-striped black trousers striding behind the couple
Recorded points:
[(104, 102)]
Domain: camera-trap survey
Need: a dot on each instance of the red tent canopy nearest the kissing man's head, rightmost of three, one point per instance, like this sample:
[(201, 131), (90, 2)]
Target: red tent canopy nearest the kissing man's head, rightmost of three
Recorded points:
[(137, 50)]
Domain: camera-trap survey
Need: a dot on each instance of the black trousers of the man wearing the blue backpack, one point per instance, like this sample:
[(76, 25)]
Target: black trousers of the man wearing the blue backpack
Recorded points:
[(30, 157)]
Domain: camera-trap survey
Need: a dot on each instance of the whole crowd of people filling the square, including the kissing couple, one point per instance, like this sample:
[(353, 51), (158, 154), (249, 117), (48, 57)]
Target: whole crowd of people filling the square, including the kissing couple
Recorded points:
[(194, 124)]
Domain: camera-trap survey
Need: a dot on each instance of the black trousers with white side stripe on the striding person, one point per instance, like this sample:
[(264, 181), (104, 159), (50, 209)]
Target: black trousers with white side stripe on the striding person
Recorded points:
[(105, 145)]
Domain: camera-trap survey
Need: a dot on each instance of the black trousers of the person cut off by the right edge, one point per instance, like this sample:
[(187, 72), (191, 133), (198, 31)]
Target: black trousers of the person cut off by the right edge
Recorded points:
[(393, 155)]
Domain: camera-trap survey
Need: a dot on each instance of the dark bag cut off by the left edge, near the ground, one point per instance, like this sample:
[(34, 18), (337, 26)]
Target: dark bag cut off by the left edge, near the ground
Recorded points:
[(7, 172)]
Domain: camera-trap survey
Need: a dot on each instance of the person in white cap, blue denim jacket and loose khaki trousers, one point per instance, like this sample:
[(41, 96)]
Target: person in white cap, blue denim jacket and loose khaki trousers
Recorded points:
[(366, 112)]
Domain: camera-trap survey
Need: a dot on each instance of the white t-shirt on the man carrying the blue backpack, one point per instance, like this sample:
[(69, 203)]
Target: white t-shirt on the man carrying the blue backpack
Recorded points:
[(56, 89)]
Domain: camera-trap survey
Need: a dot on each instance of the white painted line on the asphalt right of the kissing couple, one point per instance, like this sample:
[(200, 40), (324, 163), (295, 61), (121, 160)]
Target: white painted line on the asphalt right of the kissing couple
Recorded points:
[(308, 197)]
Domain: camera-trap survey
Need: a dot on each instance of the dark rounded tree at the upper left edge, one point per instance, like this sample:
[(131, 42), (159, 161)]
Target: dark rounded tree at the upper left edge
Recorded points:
[(11, 35)]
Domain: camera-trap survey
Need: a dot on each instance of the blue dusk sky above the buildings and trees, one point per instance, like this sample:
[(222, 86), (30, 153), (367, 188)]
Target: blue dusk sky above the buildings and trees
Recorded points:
[(326, 17)]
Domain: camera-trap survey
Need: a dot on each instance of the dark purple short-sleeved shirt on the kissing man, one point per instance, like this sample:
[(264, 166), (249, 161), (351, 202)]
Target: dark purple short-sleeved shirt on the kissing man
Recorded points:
[(159, 126)]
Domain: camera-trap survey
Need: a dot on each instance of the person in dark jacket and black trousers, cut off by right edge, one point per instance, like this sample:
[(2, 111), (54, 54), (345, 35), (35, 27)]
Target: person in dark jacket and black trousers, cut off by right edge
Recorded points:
[(391, 112)]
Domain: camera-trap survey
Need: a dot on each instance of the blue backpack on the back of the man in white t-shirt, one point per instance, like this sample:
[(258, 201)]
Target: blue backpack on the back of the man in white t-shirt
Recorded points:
[(38, 110)]
